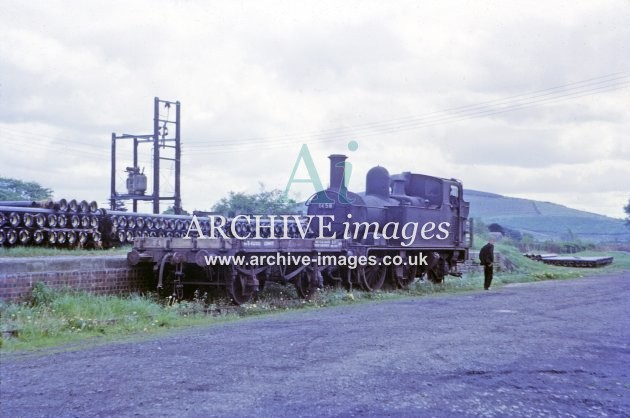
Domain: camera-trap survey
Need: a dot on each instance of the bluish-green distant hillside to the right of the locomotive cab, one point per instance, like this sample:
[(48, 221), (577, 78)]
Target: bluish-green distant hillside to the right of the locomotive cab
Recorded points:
[(545, 220)]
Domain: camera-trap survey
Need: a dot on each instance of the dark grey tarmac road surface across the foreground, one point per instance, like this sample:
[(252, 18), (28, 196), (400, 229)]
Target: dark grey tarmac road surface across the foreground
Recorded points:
[(556, 348)]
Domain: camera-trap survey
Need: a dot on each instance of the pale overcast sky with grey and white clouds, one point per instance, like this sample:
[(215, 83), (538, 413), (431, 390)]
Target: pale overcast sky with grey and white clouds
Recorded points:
[(525, 99)]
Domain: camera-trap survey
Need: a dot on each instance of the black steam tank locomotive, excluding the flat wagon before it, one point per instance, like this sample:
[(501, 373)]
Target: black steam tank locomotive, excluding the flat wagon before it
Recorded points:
[(401, 218)]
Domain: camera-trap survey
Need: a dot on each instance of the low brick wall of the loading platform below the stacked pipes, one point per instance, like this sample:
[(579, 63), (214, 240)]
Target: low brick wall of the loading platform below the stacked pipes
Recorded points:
[(101, 275)]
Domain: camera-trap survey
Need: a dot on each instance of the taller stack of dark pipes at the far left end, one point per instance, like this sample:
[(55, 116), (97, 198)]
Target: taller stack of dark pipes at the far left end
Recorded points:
[(63, 223)]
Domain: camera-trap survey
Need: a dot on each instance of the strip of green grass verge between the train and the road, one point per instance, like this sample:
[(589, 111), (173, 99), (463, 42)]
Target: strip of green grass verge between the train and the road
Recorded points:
[(56, 318)]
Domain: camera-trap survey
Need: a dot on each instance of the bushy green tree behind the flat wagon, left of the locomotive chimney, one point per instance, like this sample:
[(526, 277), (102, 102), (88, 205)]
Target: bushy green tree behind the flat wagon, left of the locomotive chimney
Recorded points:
[(265, 202)]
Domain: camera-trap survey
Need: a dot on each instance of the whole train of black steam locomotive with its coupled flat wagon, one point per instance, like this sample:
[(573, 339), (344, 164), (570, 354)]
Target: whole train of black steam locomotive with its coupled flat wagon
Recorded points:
[(403, 227)]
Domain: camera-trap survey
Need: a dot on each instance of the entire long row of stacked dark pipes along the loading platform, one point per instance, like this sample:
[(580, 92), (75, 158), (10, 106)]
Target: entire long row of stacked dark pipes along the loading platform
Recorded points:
[(79, 224)]
